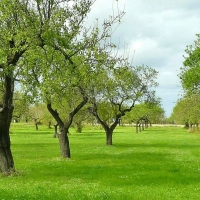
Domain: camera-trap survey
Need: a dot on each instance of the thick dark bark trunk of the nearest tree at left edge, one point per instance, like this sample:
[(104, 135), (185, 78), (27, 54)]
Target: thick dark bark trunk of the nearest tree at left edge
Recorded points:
[(6, 109)]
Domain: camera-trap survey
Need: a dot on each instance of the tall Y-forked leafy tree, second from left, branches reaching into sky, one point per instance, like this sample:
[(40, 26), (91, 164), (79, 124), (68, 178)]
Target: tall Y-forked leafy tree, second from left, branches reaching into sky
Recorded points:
[(59, 69)]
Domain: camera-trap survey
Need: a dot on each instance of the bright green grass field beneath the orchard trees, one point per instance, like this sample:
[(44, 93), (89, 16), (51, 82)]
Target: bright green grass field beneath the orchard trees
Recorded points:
[(160, 163)]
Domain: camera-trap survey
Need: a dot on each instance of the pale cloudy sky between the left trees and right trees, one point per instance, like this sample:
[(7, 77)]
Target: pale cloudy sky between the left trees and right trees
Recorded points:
[(157, 33)]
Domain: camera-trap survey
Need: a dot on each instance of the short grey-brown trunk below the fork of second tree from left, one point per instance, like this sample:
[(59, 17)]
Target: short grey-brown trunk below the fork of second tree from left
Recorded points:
[(64, 143)]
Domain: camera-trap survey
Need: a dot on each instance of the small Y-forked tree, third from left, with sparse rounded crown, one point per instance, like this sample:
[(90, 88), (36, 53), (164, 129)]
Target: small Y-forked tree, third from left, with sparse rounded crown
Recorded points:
[(122, 86)]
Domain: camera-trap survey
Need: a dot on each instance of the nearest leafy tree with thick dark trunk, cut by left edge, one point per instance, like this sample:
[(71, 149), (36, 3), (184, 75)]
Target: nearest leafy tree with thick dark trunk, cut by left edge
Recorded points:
[(15, 33)]
